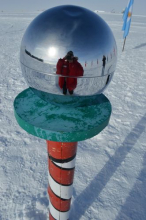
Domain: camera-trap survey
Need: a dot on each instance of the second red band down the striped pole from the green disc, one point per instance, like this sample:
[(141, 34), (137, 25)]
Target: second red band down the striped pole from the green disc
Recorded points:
[(61, 176)]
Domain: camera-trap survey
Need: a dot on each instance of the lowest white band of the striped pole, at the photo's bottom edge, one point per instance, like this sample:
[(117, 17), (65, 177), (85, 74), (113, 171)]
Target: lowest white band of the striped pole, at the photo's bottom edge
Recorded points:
[(58, 215)]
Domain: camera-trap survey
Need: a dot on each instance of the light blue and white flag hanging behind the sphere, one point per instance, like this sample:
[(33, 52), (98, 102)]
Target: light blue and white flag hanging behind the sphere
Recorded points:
[(127, 18)]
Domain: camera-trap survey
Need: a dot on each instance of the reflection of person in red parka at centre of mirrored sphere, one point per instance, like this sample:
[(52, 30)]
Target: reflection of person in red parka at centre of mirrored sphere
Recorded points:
[(69, 66)]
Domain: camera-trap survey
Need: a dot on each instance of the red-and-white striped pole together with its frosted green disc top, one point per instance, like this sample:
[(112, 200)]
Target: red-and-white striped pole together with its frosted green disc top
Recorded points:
[(62, 155)]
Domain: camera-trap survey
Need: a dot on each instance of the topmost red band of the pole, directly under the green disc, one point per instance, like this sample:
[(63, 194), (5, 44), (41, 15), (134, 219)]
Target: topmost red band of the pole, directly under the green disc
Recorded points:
[(61, 150)]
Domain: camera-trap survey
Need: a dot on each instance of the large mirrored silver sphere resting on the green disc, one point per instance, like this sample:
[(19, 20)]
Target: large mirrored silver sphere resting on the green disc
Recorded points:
[(49, 38)]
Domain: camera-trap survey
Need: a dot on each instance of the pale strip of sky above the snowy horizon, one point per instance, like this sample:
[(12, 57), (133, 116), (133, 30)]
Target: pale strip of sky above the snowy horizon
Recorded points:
[(103, 5)]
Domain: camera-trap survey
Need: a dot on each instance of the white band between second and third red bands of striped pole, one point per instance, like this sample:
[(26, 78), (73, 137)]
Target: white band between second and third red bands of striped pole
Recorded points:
[(64, 192)]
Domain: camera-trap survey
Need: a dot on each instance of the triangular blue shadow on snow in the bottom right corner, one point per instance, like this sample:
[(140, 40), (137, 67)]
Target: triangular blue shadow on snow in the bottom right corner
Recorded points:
[(135, 205)]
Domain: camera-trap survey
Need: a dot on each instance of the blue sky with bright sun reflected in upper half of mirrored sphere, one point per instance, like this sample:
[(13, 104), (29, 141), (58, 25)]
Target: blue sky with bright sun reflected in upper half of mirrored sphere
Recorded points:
[(74, 28)]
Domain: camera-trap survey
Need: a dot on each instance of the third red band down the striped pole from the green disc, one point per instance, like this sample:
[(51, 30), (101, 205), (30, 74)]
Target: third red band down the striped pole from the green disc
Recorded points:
[(59, 204)]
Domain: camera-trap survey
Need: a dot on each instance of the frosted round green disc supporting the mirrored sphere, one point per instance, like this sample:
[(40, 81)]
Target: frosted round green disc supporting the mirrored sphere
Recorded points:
[(61, 123)]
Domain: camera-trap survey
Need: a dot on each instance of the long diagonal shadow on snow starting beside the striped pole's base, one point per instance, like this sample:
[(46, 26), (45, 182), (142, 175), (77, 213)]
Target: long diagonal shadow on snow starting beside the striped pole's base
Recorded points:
[(92, 191)]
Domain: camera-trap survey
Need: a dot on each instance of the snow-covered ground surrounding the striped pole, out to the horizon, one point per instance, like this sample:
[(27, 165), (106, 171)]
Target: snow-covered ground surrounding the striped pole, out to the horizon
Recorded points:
[(110, 177)]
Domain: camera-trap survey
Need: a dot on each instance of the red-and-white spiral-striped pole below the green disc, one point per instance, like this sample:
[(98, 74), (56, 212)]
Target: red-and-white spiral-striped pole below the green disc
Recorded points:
[(61, 165)]
